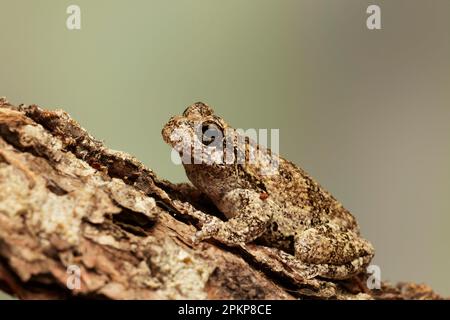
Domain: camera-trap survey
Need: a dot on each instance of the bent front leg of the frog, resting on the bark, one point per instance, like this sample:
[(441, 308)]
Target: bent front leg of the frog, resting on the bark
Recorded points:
[(250, 214)]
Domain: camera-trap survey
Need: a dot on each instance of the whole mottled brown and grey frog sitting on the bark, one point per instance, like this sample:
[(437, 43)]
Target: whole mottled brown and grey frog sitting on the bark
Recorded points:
[(285, 210)]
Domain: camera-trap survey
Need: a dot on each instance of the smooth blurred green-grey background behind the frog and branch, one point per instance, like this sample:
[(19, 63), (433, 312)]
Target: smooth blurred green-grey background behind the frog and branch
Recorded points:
[(367, 113)]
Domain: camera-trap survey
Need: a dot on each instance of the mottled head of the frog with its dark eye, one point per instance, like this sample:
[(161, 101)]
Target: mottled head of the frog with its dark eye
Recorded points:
[(197, 135)]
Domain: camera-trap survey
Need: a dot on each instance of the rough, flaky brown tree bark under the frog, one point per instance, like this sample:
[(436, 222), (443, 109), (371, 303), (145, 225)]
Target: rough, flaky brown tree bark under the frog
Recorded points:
[(67, 200)]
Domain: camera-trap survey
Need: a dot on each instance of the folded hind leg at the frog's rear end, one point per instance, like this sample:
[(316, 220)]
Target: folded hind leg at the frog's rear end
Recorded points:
[(341, 253)]
